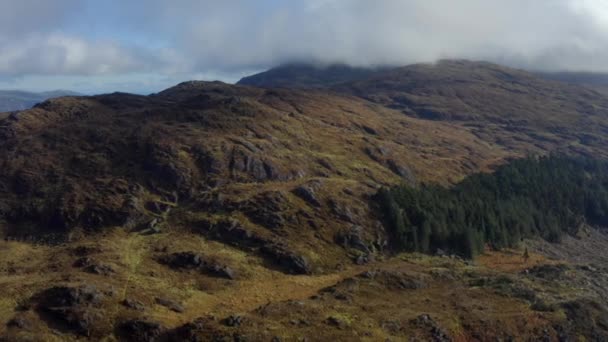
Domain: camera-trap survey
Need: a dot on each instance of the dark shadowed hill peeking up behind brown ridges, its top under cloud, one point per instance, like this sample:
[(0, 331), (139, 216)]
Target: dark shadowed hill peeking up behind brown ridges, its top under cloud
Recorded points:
[(306, 76)]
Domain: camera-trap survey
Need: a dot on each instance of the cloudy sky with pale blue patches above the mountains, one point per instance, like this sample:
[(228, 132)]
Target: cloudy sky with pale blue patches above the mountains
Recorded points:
[(144, 46)]
